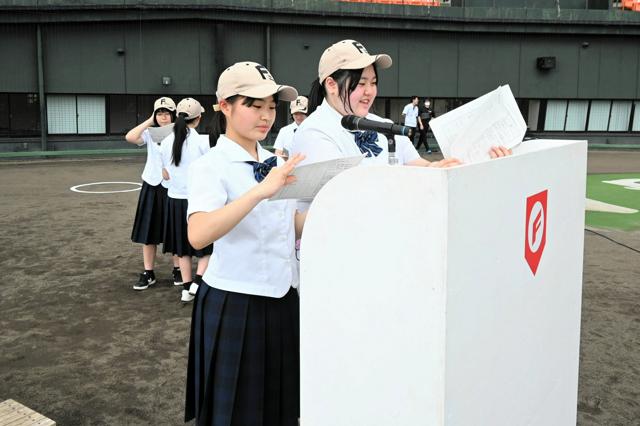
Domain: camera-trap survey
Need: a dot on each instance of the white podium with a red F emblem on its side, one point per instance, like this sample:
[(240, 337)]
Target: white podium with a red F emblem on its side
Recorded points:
[(446, 296)]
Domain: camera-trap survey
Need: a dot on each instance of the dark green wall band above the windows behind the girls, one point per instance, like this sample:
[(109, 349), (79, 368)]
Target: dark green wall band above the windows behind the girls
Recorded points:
[(81, 58)]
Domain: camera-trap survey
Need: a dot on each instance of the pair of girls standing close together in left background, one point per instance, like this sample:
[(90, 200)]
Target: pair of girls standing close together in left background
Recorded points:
[(162, 205)]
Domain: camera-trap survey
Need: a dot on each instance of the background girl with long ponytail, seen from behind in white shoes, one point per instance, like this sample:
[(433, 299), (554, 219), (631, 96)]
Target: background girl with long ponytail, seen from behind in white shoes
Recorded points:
[(179, 150)]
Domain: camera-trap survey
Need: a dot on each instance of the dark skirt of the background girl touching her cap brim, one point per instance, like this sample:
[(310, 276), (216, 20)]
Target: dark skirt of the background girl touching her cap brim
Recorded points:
[(148, 226)]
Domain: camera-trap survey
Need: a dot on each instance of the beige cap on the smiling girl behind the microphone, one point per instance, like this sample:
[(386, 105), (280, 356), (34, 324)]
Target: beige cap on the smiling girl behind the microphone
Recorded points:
[(349, 55)]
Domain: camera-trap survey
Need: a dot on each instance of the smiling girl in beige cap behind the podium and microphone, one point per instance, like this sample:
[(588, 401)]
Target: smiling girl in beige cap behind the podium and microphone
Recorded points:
[(347, 84)]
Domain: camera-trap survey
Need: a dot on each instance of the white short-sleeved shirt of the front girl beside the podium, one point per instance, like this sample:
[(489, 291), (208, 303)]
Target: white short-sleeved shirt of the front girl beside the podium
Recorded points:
[(258, 255)]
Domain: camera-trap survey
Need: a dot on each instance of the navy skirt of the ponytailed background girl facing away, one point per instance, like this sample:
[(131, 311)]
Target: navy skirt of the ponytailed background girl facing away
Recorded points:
[(176, 239)]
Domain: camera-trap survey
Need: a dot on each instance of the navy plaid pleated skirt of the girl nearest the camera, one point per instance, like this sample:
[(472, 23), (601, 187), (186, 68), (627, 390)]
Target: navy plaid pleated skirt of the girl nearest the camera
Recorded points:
[(244, 359)]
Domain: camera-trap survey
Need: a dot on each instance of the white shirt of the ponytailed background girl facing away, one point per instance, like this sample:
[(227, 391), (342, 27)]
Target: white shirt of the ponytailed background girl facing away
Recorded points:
[(194, 146)]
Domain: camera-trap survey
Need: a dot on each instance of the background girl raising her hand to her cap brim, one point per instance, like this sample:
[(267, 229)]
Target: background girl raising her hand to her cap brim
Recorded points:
[(149, 221)]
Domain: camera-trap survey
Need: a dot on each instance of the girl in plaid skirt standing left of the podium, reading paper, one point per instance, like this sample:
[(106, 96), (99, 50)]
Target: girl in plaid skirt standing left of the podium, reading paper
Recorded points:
[(244, 348)]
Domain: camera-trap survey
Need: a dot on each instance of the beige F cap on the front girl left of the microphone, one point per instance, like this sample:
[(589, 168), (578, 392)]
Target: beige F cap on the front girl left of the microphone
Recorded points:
[(253, 80)]
